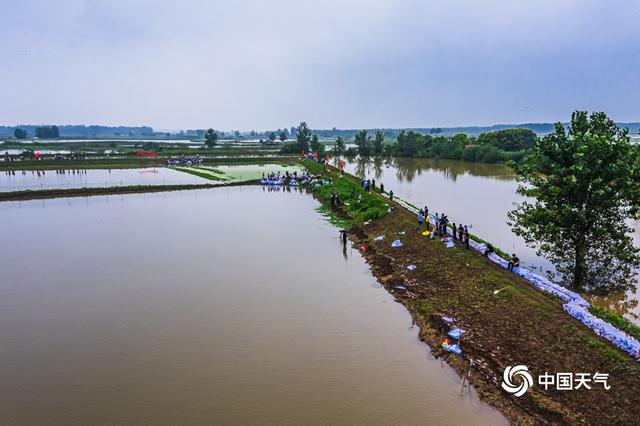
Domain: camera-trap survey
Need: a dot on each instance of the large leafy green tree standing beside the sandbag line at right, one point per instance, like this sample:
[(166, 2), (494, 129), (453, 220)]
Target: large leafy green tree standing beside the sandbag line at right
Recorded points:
[(583, 187)]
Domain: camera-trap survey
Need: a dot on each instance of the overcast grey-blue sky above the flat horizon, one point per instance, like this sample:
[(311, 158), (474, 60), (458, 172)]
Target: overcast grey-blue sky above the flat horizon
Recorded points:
[(249, 64)]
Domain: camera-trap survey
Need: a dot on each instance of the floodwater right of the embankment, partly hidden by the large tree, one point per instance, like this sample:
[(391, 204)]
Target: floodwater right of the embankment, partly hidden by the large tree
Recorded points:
[(478, 195)]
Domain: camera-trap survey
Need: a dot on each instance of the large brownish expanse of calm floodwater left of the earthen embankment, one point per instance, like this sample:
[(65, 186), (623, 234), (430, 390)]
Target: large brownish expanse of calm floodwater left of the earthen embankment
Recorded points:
[(231, 306)]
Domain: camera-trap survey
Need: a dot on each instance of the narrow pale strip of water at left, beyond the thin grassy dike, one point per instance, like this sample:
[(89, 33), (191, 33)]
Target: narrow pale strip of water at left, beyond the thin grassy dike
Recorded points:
[(50, 179)]
